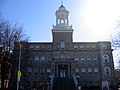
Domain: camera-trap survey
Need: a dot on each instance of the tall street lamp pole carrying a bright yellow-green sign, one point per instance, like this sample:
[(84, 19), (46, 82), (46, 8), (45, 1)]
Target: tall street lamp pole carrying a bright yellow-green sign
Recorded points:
[(19, 61)]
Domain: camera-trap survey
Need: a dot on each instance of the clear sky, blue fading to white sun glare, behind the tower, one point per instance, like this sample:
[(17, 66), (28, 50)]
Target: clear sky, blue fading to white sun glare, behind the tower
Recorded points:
[(92, 20)]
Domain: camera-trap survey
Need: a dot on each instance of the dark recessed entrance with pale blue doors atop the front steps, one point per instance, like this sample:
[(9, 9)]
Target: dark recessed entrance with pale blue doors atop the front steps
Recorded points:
[(63, 71)]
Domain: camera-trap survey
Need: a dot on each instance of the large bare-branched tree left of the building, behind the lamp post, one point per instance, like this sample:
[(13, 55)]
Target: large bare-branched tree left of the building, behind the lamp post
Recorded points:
[(8, 35)]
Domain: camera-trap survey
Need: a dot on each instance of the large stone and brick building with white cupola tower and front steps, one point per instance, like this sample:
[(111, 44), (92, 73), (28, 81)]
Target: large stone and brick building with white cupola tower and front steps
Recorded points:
[(63, 63)]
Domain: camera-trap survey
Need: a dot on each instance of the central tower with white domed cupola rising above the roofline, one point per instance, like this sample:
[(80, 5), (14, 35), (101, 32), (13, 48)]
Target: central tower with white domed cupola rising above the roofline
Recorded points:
[(62, 32)]
